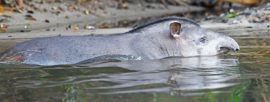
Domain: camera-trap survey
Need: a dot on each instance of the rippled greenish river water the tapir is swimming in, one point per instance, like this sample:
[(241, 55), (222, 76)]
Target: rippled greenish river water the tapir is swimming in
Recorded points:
[(242, 77)]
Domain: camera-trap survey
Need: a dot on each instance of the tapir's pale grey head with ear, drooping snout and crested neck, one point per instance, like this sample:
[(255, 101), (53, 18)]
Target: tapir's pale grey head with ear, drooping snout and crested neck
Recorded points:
[(188, 38)]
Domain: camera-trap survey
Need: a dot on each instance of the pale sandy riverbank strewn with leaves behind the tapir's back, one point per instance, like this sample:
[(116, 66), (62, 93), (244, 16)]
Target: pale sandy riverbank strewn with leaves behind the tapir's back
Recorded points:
[(39, 15)]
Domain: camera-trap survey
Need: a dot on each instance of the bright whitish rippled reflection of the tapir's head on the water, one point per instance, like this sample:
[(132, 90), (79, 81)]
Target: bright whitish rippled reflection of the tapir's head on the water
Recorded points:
[(176, 74)]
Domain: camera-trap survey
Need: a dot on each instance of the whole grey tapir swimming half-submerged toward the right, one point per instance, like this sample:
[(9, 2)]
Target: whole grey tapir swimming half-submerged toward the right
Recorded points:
[(166, 37)]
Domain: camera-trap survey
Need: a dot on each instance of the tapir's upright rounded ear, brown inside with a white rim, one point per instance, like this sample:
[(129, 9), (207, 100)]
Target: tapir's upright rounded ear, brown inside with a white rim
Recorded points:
[(175, 29)]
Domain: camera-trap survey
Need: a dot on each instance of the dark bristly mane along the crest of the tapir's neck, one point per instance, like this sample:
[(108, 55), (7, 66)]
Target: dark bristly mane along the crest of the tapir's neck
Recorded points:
[(136, 28)]
